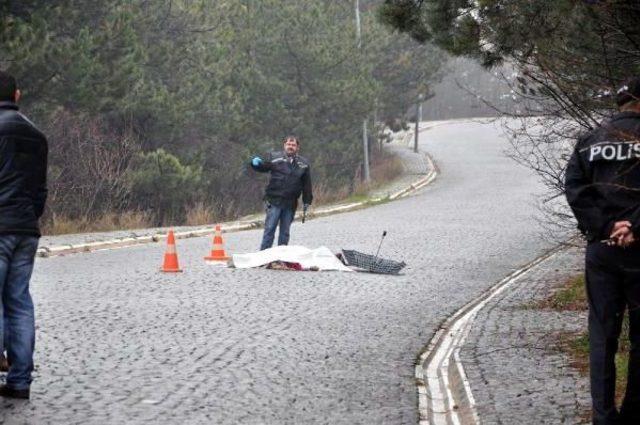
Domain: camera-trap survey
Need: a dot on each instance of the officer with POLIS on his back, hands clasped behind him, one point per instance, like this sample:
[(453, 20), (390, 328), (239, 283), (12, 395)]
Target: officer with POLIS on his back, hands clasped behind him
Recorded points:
[(602, 186)]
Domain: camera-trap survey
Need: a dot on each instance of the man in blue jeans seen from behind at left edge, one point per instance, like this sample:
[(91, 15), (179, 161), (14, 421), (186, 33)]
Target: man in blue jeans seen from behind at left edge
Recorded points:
[(23, 192)]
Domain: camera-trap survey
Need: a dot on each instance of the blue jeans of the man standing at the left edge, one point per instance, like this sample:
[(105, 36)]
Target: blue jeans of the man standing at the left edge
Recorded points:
[(17, 254)]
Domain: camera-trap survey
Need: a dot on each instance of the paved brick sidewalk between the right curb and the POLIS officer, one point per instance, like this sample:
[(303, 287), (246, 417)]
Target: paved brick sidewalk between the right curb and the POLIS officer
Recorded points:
[(517, 373)]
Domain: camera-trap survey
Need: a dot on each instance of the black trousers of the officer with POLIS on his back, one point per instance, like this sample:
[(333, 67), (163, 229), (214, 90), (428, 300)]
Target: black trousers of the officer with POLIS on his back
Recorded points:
[(613, 284)]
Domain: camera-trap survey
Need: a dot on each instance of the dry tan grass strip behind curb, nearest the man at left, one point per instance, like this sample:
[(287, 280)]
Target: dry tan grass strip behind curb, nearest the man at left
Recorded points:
[(60, 225)]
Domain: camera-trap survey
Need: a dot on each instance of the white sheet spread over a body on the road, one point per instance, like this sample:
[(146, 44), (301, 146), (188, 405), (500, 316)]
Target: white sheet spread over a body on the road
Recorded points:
[(322, 258)]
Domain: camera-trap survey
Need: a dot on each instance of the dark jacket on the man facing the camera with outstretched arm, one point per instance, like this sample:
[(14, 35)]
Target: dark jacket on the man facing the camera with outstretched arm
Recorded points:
[(290, 177)]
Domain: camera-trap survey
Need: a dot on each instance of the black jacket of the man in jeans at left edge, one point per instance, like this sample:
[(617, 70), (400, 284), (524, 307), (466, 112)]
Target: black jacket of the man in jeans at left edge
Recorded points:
[(23, 172)]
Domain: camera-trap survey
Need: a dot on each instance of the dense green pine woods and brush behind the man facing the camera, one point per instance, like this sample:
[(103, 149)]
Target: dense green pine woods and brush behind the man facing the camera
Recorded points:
[(152, 108)]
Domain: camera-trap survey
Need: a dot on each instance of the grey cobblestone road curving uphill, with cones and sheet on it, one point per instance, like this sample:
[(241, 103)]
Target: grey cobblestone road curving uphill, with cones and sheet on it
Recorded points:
[(119, 342)]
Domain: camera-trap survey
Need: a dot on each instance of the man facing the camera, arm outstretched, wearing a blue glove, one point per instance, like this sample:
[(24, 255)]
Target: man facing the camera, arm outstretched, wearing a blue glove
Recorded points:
[(290, 177)]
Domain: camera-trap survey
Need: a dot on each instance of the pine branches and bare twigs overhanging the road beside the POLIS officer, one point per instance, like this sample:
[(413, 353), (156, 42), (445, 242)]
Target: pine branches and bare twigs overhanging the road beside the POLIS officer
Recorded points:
[(566, 59)]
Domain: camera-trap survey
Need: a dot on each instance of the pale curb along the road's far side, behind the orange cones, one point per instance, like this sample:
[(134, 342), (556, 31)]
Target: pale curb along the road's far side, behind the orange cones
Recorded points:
[(236, 226)]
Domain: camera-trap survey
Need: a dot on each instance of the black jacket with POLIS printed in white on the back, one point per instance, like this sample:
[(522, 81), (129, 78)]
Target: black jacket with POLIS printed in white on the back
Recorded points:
[(602, 179)]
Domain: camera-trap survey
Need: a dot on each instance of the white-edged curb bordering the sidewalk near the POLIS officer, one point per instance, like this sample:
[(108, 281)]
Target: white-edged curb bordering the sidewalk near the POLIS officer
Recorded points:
[(444, 393)]
